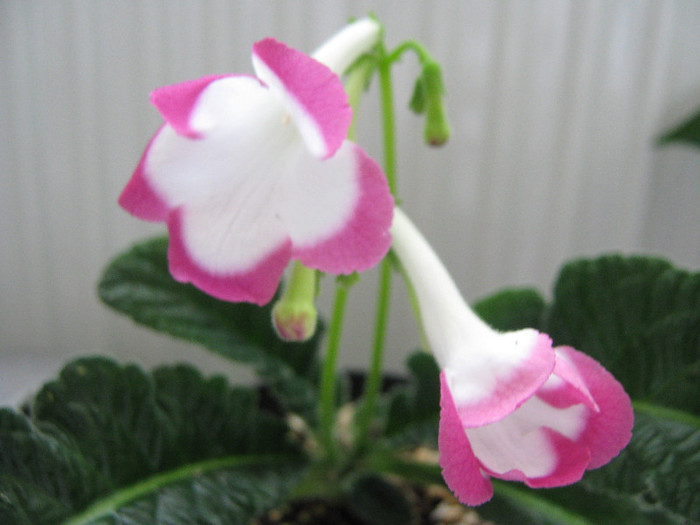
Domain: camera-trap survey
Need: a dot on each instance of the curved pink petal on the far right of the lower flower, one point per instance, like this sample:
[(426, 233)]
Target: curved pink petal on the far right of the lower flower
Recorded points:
[(609, 430)]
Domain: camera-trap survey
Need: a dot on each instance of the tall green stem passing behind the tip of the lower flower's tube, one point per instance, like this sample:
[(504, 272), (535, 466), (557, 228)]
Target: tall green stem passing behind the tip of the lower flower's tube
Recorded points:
[(374, 377)]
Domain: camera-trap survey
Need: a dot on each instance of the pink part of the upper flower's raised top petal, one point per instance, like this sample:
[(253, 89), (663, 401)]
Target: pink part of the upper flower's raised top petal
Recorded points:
[(316, 90)]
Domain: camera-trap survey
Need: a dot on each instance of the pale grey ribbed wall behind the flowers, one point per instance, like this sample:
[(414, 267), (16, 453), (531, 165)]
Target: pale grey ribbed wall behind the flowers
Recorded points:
[(554, 107)]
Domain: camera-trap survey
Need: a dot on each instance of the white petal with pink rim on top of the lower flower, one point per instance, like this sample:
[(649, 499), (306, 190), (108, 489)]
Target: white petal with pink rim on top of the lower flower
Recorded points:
[(495, 375)]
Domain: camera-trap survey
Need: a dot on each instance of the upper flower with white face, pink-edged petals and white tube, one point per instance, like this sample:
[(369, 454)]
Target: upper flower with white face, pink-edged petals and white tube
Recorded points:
[(249, 172)]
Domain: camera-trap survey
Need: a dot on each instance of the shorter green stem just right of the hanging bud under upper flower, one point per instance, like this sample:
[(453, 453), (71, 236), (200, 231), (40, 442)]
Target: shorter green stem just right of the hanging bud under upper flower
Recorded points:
[(328, 374)]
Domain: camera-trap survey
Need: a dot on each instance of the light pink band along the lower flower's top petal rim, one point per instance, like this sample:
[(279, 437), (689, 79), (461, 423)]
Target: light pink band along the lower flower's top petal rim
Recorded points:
[(512, 390)]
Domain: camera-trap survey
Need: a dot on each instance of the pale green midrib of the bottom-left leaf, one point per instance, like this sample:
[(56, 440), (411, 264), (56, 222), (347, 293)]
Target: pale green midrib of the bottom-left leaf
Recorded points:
[(110, 504)]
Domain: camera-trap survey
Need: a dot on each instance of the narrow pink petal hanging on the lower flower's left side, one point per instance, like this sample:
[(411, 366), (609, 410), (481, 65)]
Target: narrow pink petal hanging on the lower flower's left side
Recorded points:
[(460, 468)]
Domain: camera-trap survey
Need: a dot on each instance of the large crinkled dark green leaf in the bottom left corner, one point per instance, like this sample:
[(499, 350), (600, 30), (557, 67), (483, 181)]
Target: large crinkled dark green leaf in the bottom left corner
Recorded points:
[(106, 443)]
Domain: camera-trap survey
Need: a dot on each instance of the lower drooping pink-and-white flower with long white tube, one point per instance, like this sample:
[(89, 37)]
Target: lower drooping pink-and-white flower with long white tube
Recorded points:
[(512, 407)]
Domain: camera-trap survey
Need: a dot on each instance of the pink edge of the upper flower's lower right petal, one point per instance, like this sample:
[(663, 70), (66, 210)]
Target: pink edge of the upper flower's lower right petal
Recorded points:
[(365, 238)]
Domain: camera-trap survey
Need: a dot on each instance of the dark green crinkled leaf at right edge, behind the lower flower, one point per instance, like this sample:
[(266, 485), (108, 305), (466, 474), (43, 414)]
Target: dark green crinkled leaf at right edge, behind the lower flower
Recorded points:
[(637, 316)]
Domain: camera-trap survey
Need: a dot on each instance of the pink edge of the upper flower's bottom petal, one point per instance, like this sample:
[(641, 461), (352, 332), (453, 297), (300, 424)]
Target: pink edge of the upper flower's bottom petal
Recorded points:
[(257, 285)]
